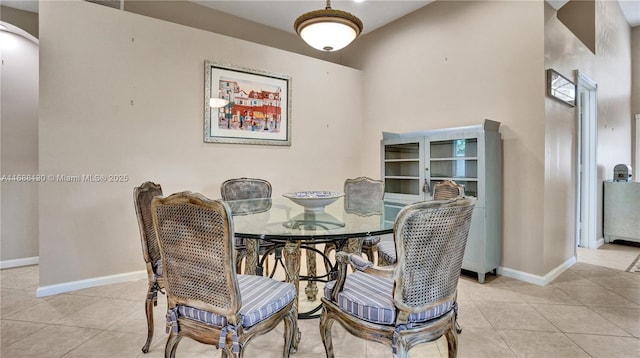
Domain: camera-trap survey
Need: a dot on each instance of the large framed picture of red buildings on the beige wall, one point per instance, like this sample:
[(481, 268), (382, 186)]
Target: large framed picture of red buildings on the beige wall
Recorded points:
[(255, 106)]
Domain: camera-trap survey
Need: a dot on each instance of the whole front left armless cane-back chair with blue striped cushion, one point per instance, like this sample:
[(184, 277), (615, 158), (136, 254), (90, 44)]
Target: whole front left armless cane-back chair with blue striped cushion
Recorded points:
[(207, 300)]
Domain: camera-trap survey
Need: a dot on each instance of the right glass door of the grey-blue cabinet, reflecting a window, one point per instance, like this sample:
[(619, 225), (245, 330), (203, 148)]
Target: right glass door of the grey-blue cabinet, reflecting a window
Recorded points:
[(457, 160)]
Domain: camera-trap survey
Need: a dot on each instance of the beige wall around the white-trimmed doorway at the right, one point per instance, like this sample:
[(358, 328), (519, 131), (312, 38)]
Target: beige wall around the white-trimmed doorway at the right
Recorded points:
[(610, 68)]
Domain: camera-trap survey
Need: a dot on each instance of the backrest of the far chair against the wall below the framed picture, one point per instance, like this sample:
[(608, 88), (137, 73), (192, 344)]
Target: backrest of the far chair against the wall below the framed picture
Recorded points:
[(247, 188)]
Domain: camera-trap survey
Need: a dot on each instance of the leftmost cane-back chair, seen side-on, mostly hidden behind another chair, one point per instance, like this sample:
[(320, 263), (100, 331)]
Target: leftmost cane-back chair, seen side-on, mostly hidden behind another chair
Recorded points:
[(142, 196)]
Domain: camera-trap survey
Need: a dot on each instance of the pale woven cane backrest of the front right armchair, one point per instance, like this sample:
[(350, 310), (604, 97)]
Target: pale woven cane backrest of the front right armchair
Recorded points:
[(430, 240)]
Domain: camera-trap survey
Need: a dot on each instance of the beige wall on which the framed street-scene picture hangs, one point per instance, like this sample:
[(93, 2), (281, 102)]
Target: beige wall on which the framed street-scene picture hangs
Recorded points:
[(123, 94)]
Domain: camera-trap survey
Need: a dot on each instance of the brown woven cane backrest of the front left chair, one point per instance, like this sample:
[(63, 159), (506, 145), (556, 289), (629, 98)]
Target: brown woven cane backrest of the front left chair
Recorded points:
[(195, 237)]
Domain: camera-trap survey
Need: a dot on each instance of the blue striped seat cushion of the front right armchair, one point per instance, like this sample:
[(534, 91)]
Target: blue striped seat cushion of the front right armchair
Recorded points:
[(370, 298)]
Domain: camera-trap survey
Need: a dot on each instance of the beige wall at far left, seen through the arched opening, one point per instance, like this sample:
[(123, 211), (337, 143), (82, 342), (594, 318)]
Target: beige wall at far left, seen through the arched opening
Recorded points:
[(19, 148)]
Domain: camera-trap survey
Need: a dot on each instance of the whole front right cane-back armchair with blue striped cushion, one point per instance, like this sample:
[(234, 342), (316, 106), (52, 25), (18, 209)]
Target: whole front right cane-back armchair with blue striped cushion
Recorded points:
[(414, 301)]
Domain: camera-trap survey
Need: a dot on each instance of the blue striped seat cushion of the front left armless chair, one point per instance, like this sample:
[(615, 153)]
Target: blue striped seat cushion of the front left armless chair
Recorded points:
[(261, 298)]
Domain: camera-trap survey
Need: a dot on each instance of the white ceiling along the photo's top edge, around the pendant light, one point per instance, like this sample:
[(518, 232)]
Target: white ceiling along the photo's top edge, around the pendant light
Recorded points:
[(374, 13)]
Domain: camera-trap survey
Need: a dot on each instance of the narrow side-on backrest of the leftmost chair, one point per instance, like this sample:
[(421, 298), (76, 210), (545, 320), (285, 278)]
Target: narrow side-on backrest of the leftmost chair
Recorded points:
[(142, 196)]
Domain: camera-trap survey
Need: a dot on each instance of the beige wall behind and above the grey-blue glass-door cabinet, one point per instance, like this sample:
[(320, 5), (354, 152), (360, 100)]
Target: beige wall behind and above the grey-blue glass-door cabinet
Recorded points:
[(457, 63)]
